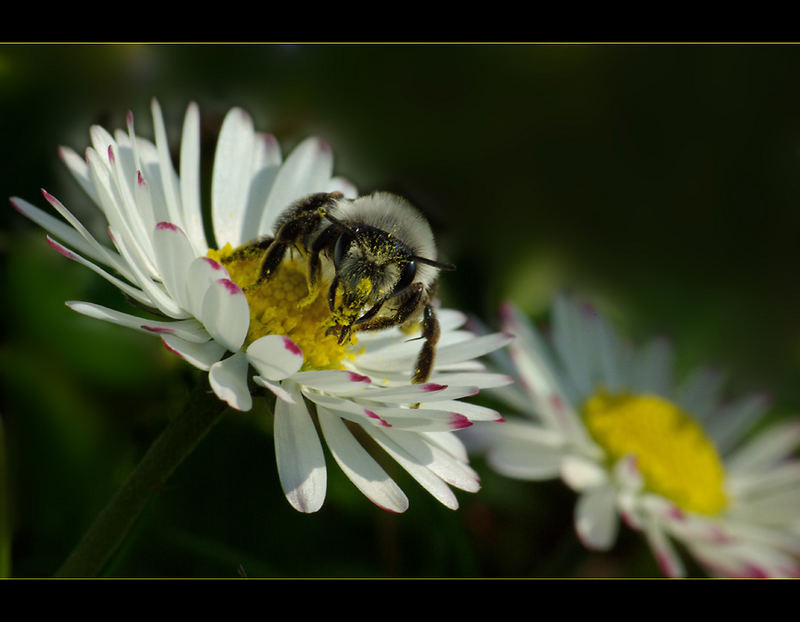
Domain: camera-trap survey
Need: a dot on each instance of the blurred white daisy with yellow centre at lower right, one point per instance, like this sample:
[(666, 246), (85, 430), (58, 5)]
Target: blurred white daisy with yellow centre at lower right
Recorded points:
[(671, 460)]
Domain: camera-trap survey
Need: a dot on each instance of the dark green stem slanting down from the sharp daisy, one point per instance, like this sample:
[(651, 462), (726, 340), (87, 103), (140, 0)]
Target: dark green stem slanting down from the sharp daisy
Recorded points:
[(176, 442)]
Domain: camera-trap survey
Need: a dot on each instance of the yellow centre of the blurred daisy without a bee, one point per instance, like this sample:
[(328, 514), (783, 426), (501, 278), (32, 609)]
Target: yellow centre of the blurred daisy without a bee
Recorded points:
[(675, 457)]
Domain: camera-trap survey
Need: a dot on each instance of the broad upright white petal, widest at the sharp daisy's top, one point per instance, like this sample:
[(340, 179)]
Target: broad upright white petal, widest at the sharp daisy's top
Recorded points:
[(230, 183)]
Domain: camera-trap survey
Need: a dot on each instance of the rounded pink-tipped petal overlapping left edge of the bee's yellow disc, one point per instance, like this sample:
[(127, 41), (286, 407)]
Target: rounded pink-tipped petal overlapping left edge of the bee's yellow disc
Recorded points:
[(225, 313)]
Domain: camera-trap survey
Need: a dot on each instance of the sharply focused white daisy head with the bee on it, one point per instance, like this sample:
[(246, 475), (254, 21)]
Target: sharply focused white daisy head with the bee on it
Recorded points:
[(160, 258)]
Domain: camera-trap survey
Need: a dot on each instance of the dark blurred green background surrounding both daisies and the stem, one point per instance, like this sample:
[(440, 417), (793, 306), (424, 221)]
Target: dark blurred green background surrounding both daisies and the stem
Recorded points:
[(659, 181)]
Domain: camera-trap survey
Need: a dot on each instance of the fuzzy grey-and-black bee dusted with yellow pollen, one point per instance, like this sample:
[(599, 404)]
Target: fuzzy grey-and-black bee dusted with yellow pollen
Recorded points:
[(382, 255)]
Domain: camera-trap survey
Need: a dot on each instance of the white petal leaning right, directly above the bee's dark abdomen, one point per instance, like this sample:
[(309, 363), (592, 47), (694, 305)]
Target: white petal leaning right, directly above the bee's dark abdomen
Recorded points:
[(307, 170)]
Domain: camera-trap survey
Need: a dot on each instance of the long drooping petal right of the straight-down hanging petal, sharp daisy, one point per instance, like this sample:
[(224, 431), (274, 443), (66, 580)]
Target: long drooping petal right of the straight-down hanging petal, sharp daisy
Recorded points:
[(359, 466)]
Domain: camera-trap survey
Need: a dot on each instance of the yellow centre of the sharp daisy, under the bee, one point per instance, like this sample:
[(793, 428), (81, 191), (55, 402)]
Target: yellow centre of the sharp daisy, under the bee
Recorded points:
[(283, 305)]
